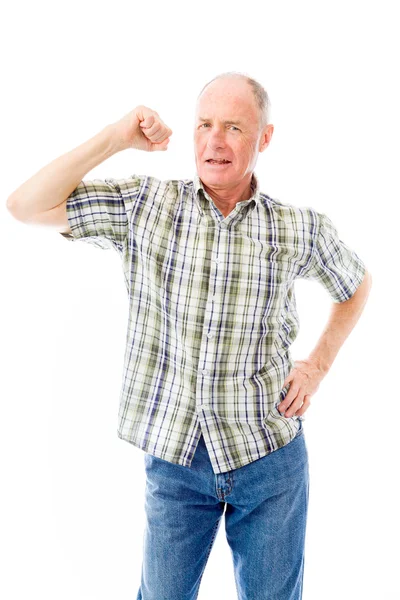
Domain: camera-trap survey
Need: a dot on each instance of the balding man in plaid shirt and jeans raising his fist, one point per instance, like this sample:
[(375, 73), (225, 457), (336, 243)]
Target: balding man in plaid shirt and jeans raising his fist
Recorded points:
[(210, 392)]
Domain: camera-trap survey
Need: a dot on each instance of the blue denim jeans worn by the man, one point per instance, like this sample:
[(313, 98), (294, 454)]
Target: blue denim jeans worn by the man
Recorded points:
[(265, 504)]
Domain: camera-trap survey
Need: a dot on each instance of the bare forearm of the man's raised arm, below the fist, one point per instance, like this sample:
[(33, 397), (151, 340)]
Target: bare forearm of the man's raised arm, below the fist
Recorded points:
[(50, 186)]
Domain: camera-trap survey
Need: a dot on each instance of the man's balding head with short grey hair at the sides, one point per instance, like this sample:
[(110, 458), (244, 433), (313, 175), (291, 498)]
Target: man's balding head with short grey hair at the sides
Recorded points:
[(232, 123)]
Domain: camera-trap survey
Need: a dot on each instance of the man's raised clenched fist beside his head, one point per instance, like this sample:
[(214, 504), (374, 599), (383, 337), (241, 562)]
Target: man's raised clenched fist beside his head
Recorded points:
[(143, 129)]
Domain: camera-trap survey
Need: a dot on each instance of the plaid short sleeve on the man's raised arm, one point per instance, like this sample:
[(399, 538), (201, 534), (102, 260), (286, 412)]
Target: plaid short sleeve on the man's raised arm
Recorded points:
[(99, 210)]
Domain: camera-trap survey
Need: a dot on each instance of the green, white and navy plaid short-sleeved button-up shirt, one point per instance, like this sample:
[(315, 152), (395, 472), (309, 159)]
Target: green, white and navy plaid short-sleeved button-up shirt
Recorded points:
[(212, 310)]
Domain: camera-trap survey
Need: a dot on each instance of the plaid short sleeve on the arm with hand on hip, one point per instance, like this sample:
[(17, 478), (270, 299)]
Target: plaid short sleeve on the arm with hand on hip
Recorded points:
[(334, 264)]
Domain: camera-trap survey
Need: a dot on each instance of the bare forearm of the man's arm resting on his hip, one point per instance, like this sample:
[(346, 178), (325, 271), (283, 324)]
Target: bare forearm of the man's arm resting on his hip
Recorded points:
[(342, 320)]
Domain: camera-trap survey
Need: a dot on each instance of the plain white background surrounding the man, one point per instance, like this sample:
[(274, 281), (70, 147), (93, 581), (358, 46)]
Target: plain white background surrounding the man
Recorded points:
[(72, 505)]
